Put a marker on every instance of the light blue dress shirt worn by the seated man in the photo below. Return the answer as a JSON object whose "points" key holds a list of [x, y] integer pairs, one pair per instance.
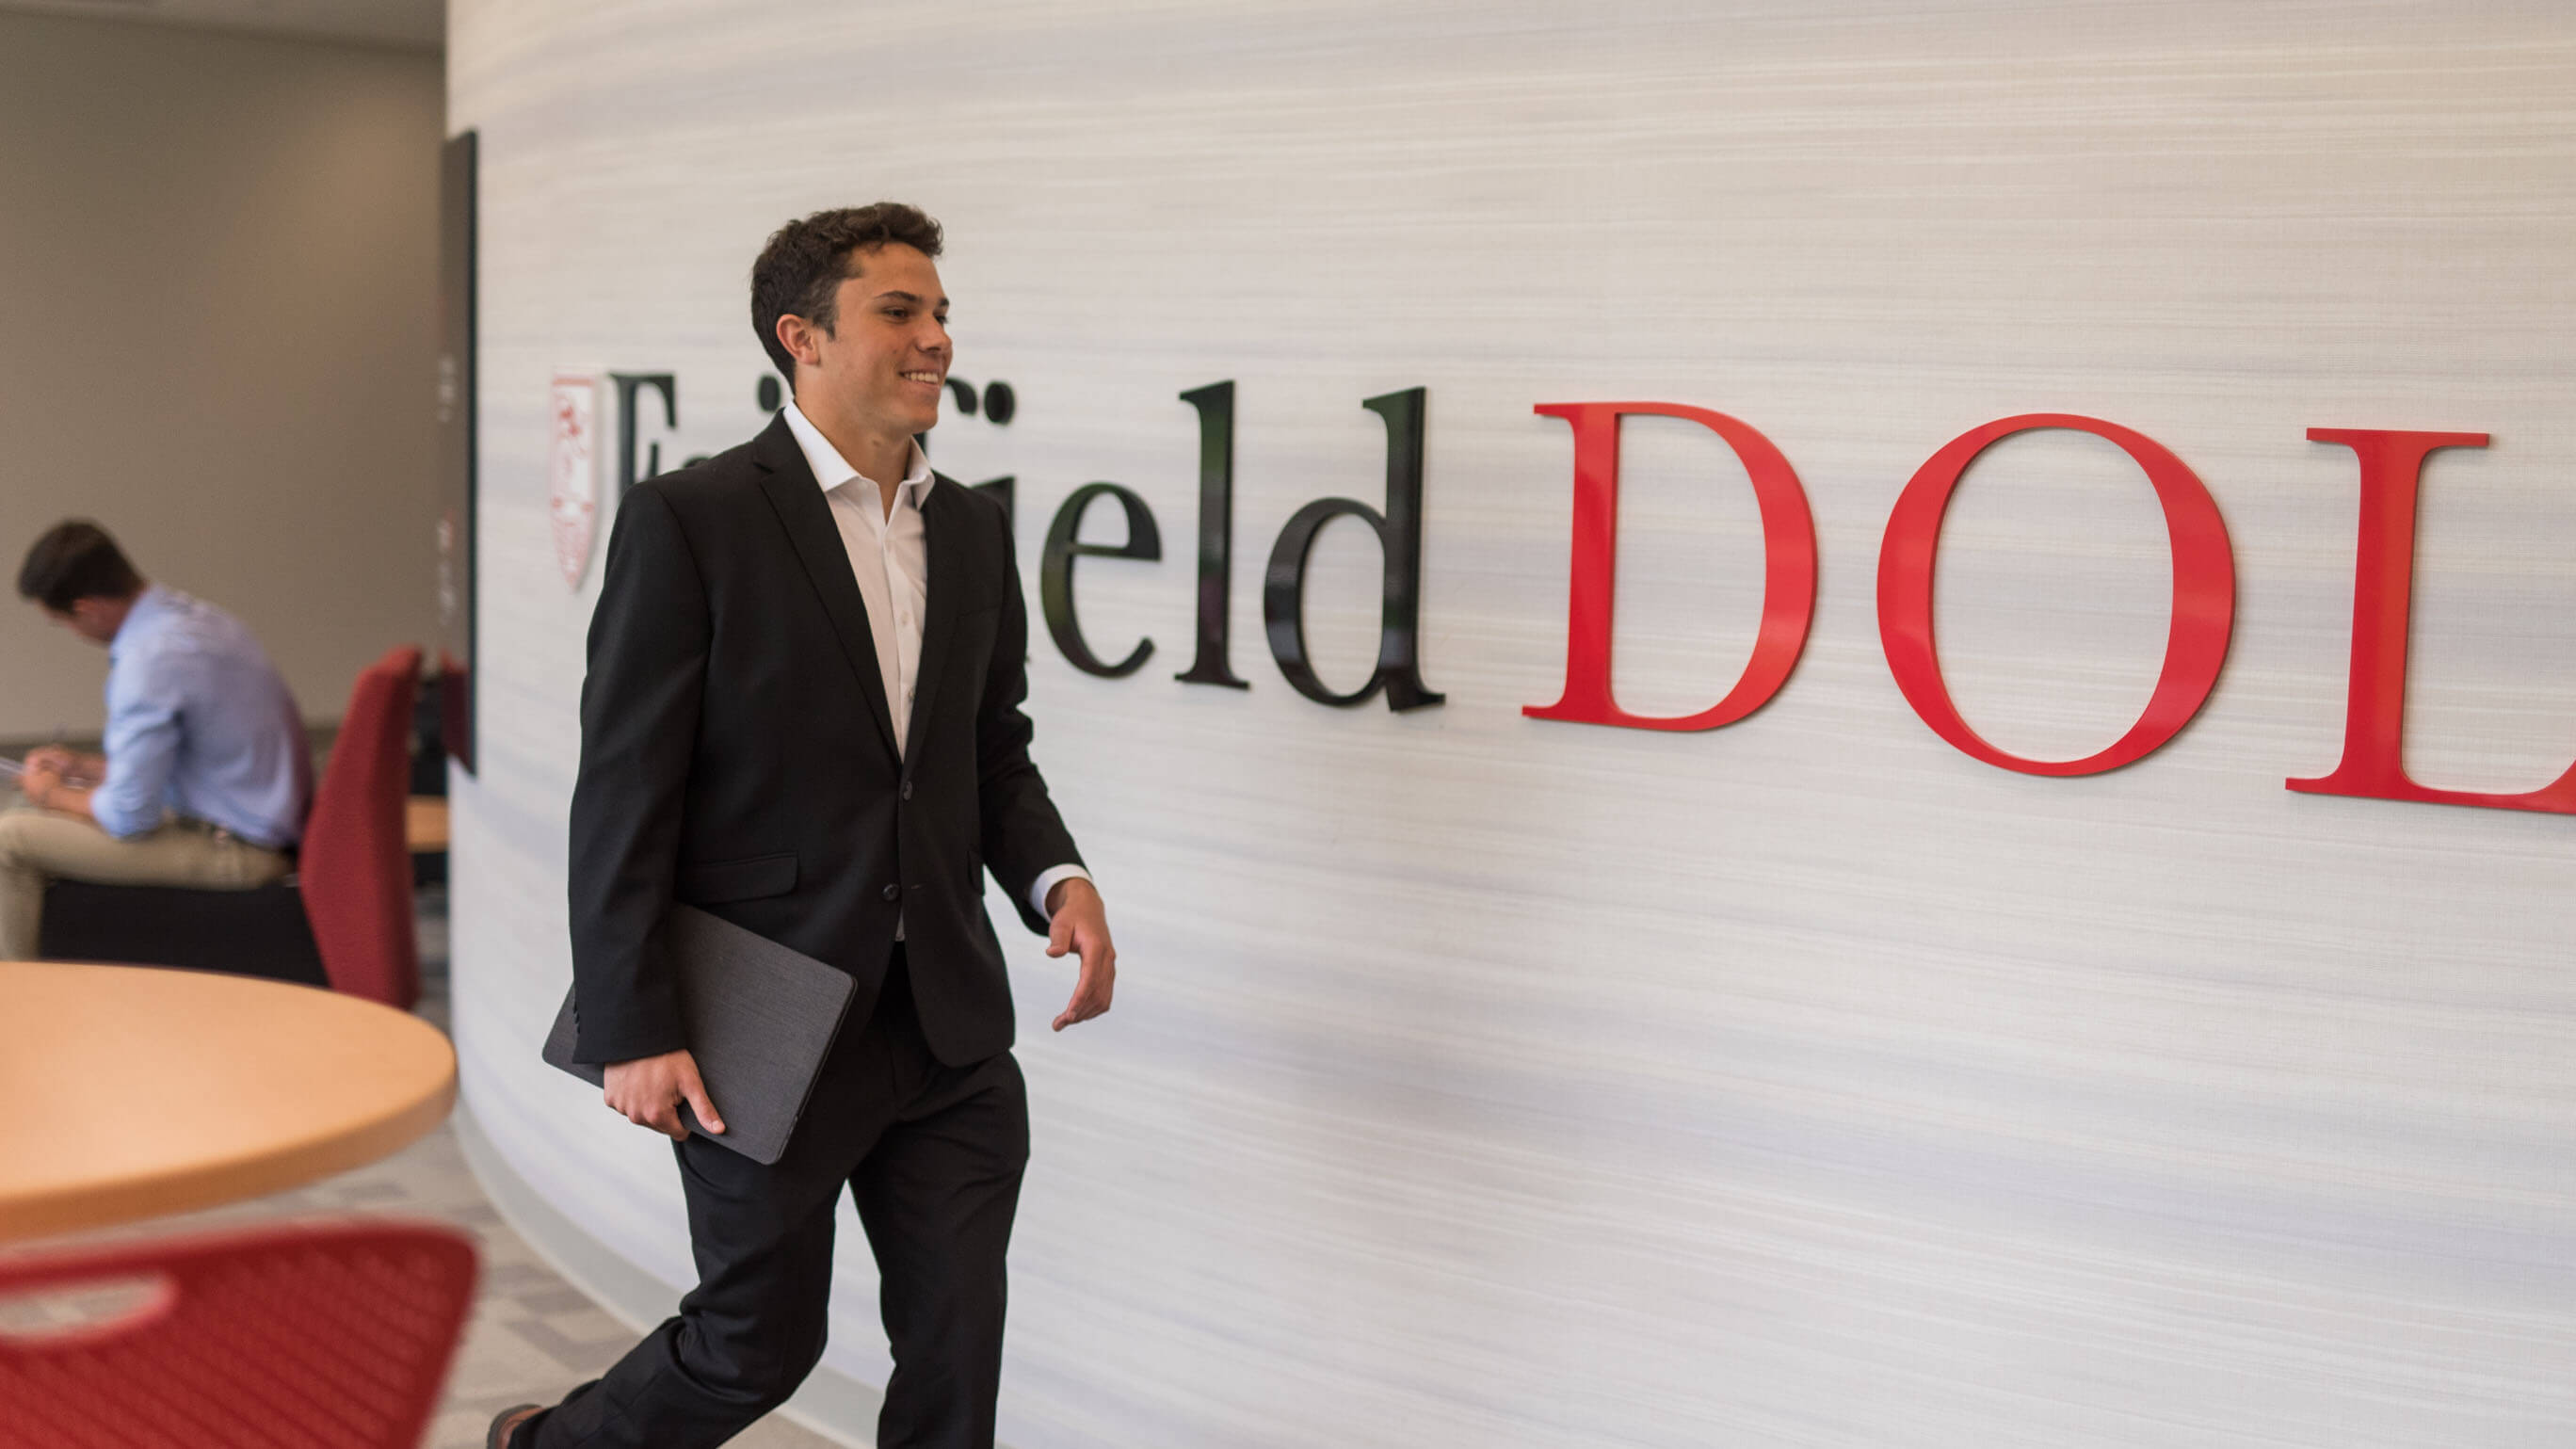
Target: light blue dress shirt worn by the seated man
{"points": [[202, 726]]}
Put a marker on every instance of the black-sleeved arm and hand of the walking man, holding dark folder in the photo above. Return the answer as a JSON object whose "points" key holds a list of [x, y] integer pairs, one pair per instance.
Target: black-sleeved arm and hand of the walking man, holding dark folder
{"points": [[640, 731]]}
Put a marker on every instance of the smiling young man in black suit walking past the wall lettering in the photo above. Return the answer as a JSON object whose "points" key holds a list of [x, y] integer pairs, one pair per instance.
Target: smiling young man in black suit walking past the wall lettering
{"points": [[805, 715]]}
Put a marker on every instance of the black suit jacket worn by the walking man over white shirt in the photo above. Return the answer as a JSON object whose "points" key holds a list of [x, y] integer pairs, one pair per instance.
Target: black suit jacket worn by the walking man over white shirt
{"points": [[738, 754]]}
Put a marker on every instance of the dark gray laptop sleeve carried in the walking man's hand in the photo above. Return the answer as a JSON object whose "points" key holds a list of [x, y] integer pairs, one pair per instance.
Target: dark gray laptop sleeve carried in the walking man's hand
{"points": [[759, 1022]]}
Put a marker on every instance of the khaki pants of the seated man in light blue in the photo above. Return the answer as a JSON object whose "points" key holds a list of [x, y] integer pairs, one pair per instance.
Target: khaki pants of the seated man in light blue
{"points": [[40, 847]]}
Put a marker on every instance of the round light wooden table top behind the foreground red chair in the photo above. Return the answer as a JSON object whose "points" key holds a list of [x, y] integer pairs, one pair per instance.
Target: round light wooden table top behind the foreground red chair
{"points": [[138, 1092]]}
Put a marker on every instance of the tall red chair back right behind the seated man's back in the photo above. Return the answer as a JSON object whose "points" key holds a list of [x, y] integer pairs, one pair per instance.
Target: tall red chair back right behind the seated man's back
{"points": [[357, 865]]}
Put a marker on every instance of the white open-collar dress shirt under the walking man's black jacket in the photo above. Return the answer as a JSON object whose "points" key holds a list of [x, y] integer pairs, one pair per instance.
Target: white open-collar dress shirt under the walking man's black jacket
{"points": [[893, 569]]}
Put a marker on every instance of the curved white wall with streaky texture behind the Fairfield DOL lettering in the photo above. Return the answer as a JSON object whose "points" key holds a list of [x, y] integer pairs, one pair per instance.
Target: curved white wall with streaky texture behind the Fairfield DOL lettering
{"points": [[1485, 1082]]}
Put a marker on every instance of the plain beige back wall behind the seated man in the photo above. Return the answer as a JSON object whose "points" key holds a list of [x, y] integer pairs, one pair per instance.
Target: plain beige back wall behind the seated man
{"points": [[218, 331]]}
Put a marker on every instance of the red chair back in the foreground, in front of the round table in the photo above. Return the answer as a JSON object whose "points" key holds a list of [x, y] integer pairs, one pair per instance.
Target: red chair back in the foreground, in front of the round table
{"points": [[287, 1337]]}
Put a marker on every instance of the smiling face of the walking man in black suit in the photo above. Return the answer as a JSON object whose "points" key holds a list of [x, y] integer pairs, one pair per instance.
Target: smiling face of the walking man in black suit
{"points": [[885, 362]]}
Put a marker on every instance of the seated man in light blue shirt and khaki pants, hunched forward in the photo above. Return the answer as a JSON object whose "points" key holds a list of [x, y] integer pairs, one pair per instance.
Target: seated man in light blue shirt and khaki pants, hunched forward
{"points": [[207, 770]]}
